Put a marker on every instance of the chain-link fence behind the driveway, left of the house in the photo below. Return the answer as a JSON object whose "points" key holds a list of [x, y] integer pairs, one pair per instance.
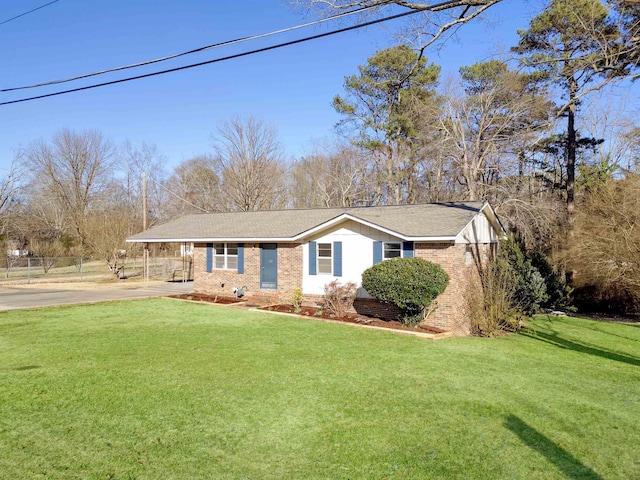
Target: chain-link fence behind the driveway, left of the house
{"points": [[27, 269]]}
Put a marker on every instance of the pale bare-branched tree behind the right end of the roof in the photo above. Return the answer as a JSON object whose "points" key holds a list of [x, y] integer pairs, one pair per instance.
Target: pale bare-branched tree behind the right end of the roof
{"points": [[483, 126]]}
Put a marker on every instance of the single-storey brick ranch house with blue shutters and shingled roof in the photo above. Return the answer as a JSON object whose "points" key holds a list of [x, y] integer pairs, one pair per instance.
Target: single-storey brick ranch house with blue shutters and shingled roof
{"points": [[271, 253]]}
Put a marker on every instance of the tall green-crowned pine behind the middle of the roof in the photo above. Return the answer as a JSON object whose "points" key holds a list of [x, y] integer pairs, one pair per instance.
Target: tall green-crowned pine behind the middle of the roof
{"points": [[385, 110]]}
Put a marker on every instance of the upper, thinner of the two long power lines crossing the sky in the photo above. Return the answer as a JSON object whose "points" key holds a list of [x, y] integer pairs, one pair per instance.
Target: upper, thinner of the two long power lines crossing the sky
{"points": [[189, 52]]}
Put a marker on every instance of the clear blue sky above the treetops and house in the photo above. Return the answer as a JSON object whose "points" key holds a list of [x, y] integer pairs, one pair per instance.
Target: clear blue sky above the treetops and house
{"points": [[290, 88]]}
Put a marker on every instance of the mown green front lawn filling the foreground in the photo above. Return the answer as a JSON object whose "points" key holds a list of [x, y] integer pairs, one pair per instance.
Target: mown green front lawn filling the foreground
{"points": [[157, 389]]}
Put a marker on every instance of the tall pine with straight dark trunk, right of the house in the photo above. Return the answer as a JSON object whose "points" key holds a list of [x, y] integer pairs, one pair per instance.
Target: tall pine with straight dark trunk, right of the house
{"points": [[573, 43]]}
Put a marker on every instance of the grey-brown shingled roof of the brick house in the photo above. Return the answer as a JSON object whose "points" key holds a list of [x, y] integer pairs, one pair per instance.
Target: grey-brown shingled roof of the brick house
{"points": [[432, 221]]}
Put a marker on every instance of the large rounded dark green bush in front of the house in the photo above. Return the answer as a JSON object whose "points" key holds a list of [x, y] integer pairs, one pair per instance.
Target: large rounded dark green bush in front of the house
{"points": [[410, 284]]}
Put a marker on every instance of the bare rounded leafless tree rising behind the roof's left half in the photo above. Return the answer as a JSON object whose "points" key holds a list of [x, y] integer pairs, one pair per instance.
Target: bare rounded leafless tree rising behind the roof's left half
{"points": [[250, 162]]}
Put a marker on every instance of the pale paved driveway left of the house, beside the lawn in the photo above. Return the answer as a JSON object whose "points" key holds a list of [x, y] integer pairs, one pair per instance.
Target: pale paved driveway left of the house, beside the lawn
{"points": [[12, 298]]}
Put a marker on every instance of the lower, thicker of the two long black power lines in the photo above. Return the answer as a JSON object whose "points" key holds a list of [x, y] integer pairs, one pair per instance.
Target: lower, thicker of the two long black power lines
{"points": [[216, 60]]}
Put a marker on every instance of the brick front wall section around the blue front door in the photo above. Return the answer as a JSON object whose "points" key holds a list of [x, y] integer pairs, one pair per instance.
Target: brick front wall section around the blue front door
{"points": [[221, 282]]}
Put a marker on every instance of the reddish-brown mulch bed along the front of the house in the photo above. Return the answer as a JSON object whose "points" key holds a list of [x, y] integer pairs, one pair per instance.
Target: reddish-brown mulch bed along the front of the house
{"points": [[313, 312]]}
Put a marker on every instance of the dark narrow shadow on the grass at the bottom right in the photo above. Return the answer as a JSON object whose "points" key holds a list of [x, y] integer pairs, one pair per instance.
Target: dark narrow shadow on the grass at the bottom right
{"points": [[570, 466]]}
